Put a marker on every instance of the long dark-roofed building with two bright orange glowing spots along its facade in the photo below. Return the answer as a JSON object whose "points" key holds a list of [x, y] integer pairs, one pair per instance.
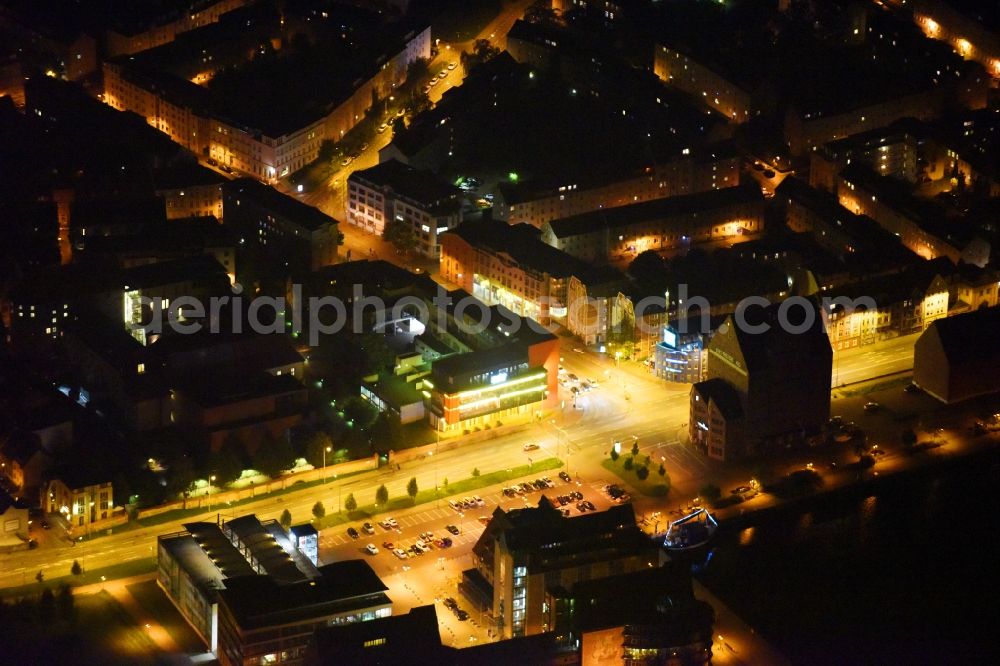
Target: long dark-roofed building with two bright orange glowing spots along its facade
{"points": [[662, 224]]}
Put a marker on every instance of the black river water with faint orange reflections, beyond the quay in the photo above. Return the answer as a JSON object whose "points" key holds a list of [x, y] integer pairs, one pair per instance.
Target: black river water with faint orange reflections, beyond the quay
{"points": [[903, 570]]}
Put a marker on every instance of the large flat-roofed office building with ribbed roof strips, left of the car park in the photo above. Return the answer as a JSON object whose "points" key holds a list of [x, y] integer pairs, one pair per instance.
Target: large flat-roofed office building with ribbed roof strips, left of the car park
{"points": [[254, 597]]}
